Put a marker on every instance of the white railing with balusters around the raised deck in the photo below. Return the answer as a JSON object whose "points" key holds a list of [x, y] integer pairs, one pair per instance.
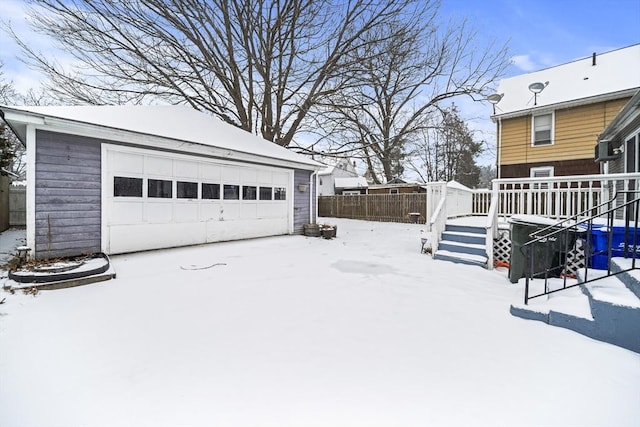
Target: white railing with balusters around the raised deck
{"points": [[553, 197]]}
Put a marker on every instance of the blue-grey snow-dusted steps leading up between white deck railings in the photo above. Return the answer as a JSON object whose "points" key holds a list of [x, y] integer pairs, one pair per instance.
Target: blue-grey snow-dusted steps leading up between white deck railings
{"points": [[463, 244]]}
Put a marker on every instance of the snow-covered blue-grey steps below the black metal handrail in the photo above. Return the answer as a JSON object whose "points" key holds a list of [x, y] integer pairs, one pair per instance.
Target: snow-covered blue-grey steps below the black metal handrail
{"points": [[606, 310]]}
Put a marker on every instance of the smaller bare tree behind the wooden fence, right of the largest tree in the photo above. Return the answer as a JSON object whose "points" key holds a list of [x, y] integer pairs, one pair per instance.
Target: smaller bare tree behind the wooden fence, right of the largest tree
{"points": [[400, 86]]}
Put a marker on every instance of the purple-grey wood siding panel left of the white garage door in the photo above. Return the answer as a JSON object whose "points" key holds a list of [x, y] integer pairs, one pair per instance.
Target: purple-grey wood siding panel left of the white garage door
{"points": [[67, 195]]}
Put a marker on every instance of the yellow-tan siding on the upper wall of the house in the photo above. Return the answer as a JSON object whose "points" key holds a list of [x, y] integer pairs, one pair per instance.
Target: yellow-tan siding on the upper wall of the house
{"points": [[575, 135]]}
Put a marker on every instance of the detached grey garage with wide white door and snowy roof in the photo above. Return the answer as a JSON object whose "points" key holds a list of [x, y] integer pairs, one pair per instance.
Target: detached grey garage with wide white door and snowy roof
{"points": [[119, 179]]}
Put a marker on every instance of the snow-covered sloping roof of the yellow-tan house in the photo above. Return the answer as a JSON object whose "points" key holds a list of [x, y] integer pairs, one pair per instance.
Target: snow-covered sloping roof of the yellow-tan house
{"points": [[614, 71]]}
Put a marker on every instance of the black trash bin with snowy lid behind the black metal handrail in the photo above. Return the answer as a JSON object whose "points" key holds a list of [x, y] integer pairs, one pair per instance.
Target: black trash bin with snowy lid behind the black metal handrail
{"points": [[548, 255]]}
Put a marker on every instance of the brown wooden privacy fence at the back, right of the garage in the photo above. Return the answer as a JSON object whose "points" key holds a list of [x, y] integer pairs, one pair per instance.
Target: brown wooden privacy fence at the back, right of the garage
{"points": [[375, 207]]}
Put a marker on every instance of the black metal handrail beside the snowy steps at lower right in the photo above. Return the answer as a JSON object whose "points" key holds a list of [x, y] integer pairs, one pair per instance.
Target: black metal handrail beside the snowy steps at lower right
{"points": [[551, 233]]}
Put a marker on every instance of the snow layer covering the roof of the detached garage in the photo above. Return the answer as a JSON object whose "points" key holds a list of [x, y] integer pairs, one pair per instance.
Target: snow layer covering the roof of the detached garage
{"points": [[180, 123]]}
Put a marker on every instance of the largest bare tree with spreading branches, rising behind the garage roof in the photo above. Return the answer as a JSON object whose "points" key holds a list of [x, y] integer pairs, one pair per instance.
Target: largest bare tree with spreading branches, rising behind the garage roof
{"points": [[261, 65]]}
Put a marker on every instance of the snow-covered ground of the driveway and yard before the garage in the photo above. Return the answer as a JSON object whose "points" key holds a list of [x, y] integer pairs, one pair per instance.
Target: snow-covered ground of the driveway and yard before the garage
{"points": [[361, 330]]}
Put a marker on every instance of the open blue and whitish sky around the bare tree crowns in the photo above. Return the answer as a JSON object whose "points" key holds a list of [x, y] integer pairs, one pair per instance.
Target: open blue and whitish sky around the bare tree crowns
{"points": [[539, 33]]}
